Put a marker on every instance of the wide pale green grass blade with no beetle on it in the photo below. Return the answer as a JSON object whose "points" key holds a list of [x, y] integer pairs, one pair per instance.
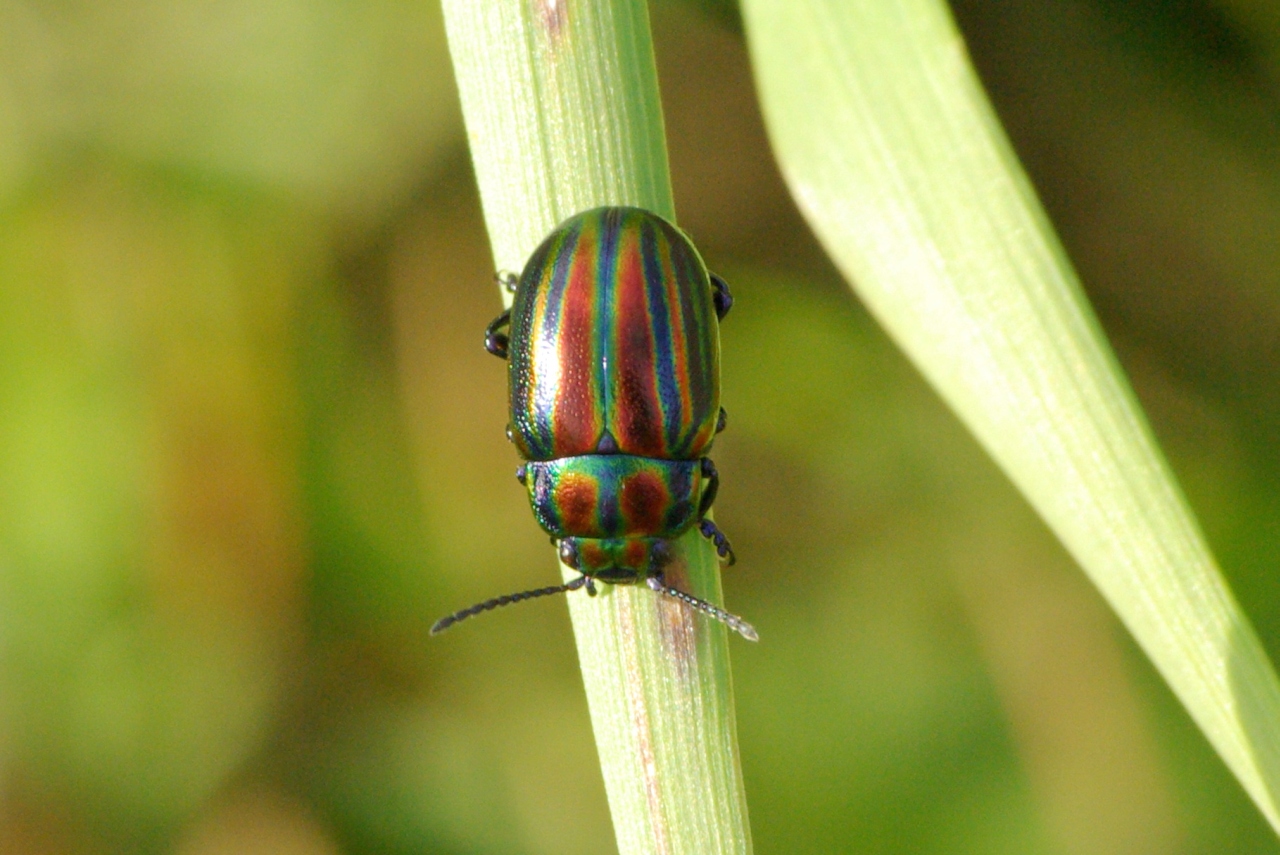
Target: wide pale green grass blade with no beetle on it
{"points": [[889, 144]]}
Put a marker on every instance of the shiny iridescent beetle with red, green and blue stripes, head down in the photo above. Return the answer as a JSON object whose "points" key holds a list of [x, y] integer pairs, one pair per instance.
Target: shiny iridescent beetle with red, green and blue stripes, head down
{"points": [[614, 348]]}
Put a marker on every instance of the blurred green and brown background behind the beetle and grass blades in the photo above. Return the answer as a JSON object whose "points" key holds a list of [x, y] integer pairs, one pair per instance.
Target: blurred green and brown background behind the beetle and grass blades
{"points": [[252, 447]]}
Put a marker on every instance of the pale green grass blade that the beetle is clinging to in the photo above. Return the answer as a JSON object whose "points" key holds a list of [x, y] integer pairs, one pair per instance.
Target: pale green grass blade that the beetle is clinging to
{"points": [[563, 115]]}
